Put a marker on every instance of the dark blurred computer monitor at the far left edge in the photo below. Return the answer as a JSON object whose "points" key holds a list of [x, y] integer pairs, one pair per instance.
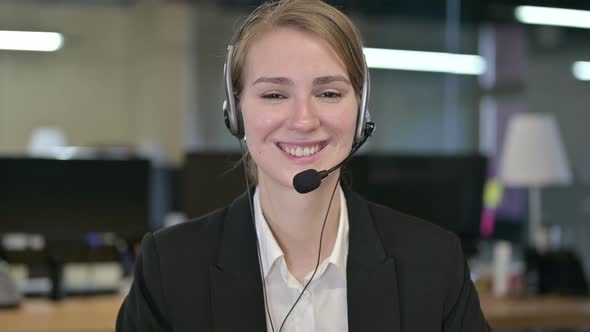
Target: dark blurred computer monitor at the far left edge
{"points": [[65, 200]]}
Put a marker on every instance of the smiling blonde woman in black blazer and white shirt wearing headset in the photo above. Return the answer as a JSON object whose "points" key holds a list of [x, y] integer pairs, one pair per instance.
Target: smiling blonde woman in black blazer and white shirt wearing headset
{"points": [[326, 260]]}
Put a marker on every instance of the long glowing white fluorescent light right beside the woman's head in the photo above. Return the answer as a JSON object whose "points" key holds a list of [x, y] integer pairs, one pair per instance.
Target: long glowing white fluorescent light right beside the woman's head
{"points": [[425, 61]]}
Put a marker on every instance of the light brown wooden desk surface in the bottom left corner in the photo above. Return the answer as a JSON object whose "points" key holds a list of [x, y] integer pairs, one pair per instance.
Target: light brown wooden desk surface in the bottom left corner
{"points": [[91, 314]]}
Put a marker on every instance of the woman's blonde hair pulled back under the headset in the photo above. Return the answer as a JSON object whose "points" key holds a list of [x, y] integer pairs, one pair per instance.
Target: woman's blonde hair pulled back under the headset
{"points": [[313, 16]]}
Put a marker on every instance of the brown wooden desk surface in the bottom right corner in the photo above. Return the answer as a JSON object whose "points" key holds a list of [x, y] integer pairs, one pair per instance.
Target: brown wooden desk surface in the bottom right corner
{"points": [[550, 312]]}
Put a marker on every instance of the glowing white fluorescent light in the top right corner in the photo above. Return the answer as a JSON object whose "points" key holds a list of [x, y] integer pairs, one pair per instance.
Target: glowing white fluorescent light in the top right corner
{"points": [[553, 16]]}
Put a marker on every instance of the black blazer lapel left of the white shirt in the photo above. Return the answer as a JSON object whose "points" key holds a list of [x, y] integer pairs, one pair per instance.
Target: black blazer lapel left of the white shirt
{"points": [[236, 286]]}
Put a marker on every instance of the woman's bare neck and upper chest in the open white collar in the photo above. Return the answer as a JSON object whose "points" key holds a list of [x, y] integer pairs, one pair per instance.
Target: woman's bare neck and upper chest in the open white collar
{"points": [[296, 221]]}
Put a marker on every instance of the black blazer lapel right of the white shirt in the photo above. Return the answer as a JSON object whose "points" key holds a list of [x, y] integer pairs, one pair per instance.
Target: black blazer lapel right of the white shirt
{"points": [[372, 290]]}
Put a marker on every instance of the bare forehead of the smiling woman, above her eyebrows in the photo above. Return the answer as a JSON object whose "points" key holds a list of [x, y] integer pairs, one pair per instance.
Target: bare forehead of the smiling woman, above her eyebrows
{"points": [[288, 51]]}
